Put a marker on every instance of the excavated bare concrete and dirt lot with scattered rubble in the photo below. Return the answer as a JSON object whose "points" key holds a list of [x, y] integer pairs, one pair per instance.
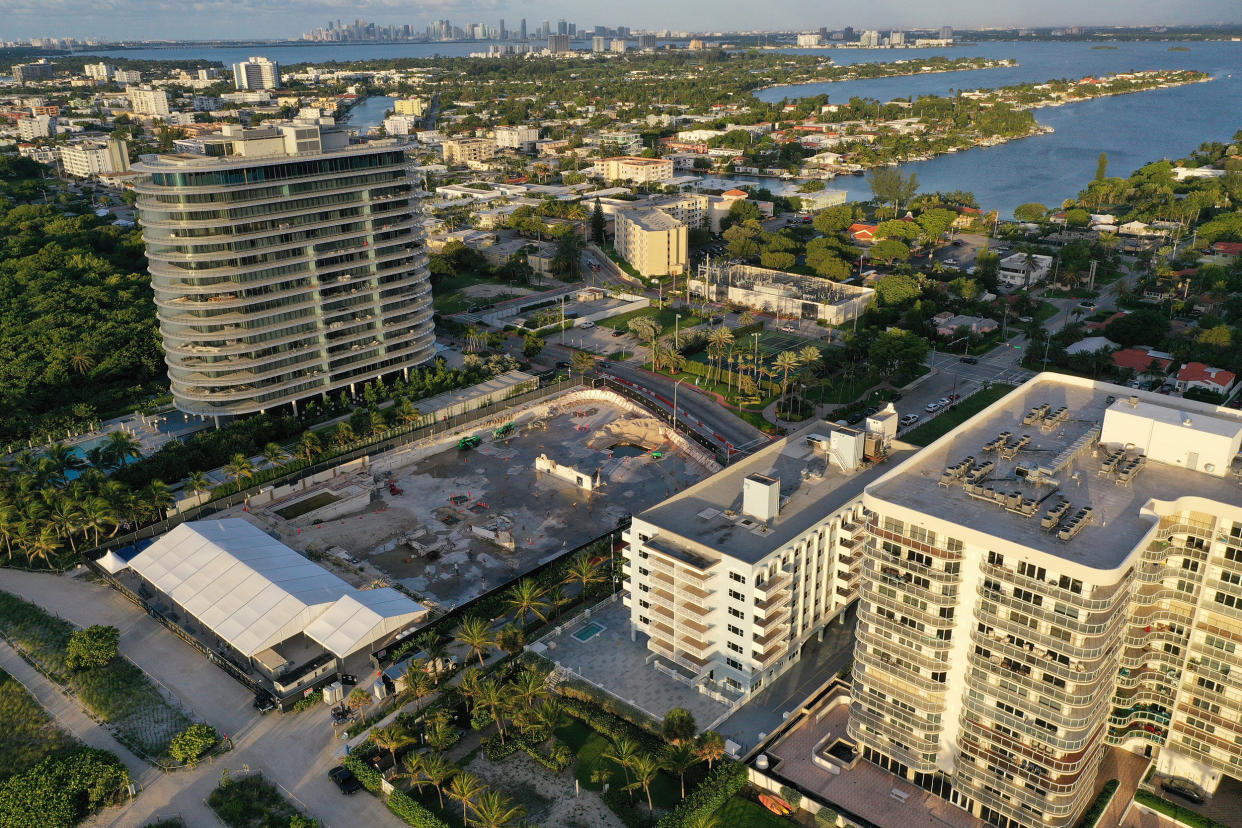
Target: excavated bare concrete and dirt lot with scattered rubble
{"points": [[428, 537]]}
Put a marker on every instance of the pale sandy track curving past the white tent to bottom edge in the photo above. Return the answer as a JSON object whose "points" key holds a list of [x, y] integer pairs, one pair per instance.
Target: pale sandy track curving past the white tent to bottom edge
{"points": [[292, 750]]}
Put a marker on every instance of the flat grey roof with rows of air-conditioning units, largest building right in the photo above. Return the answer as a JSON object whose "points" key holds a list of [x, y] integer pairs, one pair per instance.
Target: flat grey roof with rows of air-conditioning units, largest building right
{"points": [[1117, 524]]}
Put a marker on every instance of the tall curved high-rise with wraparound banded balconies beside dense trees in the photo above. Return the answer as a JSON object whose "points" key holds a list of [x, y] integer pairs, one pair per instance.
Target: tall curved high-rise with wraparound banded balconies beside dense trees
{"points": [[288, 263]]}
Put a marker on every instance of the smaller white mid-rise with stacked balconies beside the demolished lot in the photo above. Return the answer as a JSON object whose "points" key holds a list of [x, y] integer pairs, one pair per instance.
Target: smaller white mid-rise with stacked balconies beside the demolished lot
{"points": [[731, 578]]}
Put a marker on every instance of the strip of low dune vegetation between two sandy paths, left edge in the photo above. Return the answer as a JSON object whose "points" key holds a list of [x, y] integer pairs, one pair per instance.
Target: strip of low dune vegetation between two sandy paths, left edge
{"points": [[119, 695]]}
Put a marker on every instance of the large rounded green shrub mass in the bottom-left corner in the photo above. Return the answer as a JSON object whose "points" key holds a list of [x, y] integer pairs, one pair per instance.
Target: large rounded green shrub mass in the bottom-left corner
{"points": [[61, 790]]}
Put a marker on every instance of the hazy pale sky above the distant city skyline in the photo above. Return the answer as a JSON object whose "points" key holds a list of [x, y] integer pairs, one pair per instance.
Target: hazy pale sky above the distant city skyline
{"points": [[265, 19]]}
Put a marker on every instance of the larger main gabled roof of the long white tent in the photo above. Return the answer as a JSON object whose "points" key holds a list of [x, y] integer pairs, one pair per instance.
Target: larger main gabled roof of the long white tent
{"points": [[237, 580]]}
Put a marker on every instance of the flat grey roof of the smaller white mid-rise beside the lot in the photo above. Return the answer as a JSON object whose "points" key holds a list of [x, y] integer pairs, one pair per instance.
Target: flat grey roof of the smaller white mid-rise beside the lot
{"points": [[812, 488]]}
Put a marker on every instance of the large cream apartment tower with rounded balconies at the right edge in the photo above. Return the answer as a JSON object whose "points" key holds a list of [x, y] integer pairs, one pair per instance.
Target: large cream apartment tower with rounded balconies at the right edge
{"points": [[1058, 578]]}
